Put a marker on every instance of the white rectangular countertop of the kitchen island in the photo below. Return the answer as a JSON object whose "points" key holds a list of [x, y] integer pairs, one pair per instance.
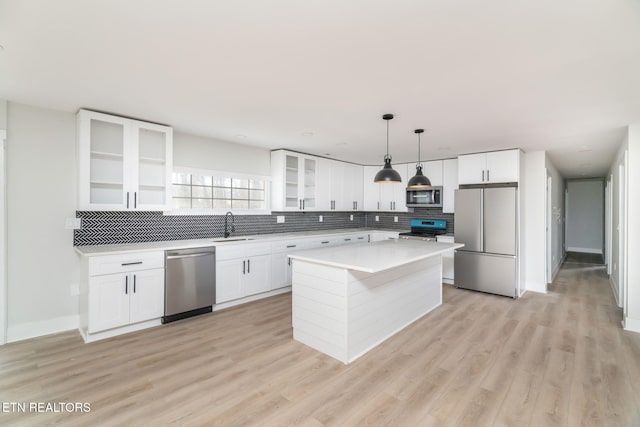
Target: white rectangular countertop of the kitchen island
{"points": [[377, 256]]}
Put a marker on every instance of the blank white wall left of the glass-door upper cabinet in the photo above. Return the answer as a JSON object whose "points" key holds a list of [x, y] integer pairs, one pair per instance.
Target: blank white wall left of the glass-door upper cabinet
{"points": [[41, 193]]}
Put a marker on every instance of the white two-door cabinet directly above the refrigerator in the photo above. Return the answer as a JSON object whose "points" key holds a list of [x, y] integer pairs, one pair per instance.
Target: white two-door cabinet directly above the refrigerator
{"points": [[488, 168]]}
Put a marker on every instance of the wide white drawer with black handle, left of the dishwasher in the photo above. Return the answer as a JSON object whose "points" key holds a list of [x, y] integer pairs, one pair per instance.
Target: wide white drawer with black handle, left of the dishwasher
{"points": [[123, 263]]}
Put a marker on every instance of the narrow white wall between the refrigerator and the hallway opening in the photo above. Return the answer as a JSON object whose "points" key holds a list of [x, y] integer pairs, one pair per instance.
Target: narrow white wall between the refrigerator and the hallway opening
{"points": [[533, 226]]}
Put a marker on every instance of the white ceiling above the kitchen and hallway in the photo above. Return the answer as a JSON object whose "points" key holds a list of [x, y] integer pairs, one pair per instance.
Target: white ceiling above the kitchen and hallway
{"points": [[562, 76]]}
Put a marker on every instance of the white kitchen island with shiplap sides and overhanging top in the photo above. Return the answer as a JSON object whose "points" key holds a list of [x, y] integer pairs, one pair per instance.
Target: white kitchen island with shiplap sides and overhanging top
{"points": [[347, 300]]}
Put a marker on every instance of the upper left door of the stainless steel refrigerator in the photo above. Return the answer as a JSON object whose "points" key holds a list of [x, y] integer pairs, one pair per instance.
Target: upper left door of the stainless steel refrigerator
{"points": [[468, 229]]}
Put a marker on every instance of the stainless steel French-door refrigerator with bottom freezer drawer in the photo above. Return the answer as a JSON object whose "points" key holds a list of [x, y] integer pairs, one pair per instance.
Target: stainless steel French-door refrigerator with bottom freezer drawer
{"points": [[486, 222]]}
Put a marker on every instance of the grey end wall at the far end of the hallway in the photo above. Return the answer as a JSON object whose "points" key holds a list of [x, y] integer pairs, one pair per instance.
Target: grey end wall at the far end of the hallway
{"points": [[585, 216]]}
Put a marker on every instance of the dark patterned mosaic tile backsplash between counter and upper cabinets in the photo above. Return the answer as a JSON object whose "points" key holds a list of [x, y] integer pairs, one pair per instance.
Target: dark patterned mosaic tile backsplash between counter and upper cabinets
{"points": [[107, 228]]}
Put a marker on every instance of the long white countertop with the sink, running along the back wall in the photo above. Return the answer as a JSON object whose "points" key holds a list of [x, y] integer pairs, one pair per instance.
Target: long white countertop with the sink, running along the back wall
{"points": [[196, 243]]}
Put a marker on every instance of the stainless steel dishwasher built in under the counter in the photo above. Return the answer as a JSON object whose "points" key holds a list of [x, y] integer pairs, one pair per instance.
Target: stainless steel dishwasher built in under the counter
{"points": [[189, 282]]}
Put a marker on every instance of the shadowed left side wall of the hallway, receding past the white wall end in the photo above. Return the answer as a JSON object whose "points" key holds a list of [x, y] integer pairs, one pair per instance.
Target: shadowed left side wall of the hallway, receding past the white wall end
{"points": [[557, 216]]}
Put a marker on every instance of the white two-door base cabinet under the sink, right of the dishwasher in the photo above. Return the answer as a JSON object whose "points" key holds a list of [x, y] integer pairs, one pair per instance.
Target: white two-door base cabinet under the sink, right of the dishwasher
{"points": [[242, 270]]}
